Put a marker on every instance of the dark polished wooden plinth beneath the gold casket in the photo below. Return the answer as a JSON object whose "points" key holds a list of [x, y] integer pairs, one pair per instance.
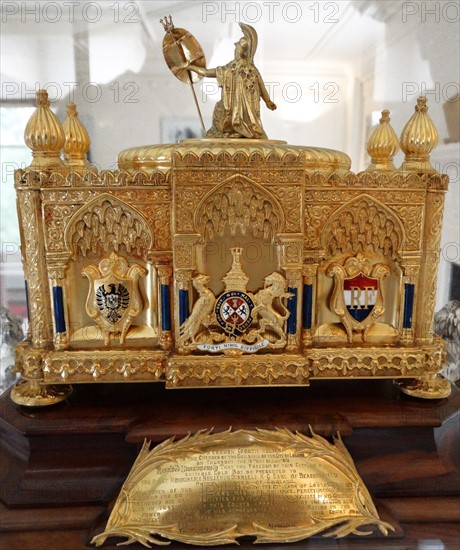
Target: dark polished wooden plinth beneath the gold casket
{"points": [[62, 466]]}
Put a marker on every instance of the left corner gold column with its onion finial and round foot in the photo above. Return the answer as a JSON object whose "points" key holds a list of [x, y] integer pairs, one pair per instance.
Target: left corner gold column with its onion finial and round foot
{"points": [[45, 136]]}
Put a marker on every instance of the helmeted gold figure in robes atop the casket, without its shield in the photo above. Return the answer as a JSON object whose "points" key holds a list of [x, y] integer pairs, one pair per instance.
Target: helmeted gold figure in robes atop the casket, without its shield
{"points": [[237, 114]]}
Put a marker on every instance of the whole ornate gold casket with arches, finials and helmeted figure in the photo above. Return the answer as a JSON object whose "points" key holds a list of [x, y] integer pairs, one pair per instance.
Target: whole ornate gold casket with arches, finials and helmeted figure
{"points": [[232, 260]]}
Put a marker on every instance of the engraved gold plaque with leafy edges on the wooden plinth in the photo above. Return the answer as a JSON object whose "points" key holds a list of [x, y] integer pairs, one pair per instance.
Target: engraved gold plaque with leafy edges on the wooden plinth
{"points": [[210, 489]]}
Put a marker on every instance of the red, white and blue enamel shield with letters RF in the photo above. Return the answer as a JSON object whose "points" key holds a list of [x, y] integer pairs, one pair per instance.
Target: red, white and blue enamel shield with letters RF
{"points": [[360, 295]]}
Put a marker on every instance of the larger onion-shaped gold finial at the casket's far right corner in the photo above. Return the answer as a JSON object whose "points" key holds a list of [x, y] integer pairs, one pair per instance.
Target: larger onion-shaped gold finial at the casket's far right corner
{"points": [[418, 138]]}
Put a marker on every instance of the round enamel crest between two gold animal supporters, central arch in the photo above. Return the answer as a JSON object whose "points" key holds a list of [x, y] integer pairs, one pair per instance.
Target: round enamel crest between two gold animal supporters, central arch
{"points": [[233, 312]]}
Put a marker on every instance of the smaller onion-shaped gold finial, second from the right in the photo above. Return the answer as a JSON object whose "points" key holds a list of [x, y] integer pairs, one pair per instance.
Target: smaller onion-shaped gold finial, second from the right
{"points": [[383, 145]]}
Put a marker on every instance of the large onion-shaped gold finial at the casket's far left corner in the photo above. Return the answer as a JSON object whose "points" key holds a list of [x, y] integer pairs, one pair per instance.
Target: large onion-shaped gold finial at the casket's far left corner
{"points": [[44, 134]]}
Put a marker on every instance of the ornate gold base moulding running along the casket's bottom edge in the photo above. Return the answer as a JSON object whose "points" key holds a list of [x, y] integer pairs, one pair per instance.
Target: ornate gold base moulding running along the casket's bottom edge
{"points": [[193, 371]]}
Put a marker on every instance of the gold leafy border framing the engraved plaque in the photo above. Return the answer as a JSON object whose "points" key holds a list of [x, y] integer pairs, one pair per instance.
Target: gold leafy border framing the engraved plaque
{"points": [[334, 455]]}
